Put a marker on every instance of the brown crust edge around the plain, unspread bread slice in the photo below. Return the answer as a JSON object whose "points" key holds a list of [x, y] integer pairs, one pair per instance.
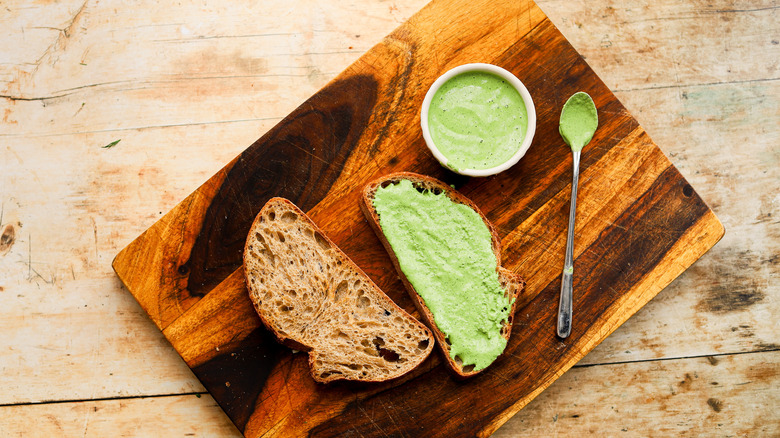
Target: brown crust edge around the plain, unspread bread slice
{"points": [[346, 263]]}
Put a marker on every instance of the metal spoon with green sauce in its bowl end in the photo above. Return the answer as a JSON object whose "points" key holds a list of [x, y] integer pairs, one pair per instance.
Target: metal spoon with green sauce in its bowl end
{"points": [[577, 126]]}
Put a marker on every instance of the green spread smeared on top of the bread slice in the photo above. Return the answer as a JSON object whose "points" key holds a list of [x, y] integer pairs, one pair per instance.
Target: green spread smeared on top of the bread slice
{"points": [[444, 250]]}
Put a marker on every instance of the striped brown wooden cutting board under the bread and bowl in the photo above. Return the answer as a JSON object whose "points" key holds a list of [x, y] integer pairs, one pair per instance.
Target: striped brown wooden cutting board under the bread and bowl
{"points": [[639, 225]]}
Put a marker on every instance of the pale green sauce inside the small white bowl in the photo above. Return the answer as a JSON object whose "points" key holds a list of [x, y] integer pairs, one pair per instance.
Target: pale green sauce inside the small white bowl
{"points": [[477, 120]]}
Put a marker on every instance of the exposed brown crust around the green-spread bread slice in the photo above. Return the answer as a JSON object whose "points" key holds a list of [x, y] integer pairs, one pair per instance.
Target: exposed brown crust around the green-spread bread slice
{"points": [[511, 283]]}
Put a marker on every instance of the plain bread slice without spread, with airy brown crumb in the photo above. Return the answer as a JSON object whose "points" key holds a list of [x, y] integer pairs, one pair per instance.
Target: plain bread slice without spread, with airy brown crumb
{"points": [[315, 299]]}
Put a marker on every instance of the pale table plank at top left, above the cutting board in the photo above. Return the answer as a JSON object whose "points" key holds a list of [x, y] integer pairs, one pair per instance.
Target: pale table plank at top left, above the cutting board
{"points": [[250, 65]]}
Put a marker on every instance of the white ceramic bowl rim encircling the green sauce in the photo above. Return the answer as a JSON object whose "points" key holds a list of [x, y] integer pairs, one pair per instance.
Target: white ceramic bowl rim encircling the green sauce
{"points": [[512, 80]]}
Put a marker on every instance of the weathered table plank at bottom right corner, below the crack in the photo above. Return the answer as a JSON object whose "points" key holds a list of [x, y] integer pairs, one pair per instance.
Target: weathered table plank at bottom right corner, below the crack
{"points": [[729, 395]]}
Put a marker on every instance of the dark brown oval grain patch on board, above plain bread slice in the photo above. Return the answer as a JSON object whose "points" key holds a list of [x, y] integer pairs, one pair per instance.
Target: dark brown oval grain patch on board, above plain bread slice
{"points": [[298, 159]]}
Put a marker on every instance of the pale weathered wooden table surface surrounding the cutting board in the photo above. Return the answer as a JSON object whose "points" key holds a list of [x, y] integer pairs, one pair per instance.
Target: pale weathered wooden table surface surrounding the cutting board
{"points": [[186, 88]]}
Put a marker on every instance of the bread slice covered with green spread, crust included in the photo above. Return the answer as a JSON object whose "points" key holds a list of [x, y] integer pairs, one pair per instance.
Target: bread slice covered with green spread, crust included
{"points": [[448, 256]]}
